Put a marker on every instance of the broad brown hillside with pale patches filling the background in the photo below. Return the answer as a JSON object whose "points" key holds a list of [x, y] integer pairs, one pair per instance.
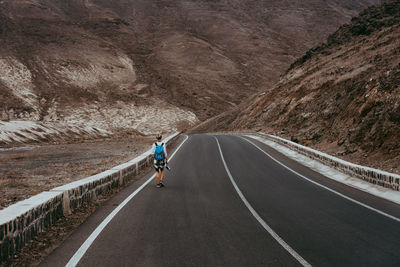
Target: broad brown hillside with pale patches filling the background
{"points": [[138, 64]]}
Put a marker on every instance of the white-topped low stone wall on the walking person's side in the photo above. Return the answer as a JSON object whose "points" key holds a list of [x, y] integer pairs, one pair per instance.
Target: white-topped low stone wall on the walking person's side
{"points": [[22, 221]]}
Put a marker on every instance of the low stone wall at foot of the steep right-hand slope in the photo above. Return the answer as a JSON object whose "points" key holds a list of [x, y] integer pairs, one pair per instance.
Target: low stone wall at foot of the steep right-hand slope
{"points": [[374, 176]]}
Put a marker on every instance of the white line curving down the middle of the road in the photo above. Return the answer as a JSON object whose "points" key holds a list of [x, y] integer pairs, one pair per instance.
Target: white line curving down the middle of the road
{"points": [[257, 216]]}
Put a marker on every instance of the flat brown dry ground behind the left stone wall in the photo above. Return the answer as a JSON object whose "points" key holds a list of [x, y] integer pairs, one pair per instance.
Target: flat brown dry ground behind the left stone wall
{"points": [[29, 170]]}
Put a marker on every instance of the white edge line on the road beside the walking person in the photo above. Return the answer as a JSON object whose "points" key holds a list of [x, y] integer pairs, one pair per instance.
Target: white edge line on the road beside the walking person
{"points": [[85, 246]]}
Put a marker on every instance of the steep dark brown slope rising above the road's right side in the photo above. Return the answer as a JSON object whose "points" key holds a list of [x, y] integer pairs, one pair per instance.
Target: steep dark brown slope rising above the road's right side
{"points": [[342, 96]]}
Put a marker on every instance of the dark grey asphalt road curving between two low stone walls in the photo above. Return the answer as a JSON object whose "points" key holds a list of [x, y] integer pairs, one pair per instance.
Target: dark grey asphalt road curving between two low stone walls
{"points": [[200, 219]]}
